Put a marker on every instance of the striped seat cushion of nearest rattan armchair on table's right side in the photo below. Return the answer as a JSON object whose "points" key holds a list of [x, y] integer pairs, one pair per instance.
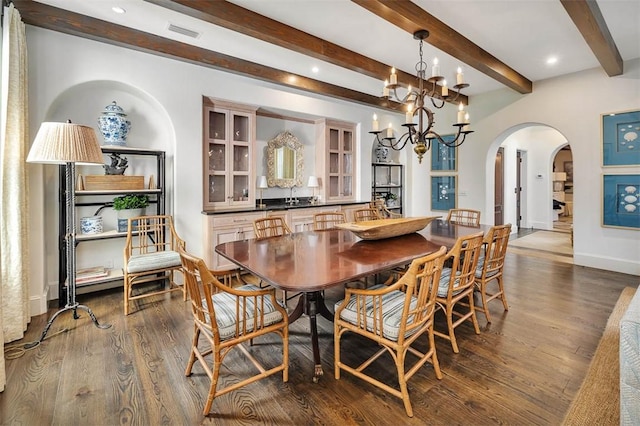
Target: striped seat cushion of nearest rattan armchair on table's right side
{"points": [[392, 303]]}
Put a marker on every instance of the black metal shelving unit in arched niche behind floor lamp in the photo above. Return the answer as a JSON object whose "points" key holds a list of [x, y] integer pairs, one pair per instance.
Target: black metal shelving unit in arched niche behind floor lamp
{"points": [[95, 200]]}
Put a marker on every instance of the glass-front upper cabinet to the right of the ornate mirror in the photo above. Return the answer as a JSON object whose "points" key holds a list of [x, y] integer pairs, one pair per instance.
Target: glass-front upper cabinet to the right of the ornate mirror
{"points": [[336, 160]]}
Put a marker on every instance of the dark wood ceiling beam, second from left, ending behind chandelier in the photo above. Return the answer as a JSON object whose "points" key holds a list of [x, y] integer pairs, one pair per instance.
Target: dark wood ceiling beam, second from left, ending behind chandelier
{"points": [[228, 15]]}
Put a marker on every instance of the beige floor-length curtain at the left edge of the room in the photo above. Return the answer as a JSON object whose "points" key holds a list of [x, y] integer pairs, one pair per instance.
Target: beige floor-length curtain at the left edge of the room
{"points": [[14, 214]]}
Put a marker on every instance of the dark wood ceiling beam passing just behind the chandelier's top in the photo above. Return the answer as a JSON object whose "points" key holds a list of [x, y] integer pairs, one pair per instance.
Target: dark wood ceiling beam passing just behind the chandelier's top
{"points": [[411, 18]]}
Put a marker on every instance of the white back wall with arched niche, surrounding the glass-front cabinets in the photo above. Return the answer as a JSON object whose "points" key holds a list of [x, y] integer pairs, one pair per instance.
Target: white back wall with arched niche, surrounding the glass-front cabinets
{"points": [[71, 77]]}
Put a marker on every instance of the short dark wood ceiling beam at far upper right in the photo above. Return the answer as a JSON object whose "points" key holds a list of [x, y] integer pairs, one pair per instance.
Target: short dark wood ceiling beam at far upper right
{"points": [[587, 17]]}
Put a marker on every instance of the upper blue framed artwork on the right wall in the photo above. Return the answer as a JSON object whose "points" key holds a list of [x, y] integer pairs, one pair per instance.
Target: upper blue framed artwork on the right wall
{"points": [[621, 139]]}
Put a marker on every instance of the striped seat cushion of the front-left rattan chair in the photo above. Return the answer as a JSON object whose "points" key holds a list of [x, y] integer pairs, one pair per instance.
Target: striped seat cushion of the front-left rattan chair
{"points": [[227, 317]]}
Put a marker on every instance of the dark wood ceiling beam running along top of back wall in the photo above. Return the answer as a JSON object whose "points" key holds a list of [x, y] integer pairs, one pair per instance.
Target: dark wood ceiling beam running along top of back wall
{"points": [[52, 18]]}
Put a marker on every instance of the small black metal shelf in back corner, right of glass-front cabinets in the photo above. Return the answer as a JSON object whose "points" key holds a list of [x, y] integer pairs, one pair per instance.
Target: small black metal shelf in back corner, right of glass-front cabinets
{"points": [[388, 184]]}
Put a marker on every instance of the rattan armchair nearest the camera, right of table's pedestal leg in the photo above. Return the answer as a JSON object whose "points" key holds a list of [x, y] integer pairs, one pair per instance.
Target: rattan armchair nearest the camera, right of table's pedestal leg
{"points": [[393, 317]]}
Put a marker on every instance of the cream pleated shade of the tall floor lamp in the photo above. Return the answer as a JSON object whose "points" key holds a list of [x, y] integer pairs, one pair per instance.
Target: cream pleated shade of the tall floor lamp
{"points": [[60, 143]]}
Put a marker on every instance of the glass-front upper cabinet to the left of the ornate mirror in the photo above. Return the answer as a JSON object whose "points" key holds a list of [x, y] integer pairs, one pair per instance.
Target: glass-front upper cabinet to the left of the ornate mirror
{"points": [[228, 154]]}
